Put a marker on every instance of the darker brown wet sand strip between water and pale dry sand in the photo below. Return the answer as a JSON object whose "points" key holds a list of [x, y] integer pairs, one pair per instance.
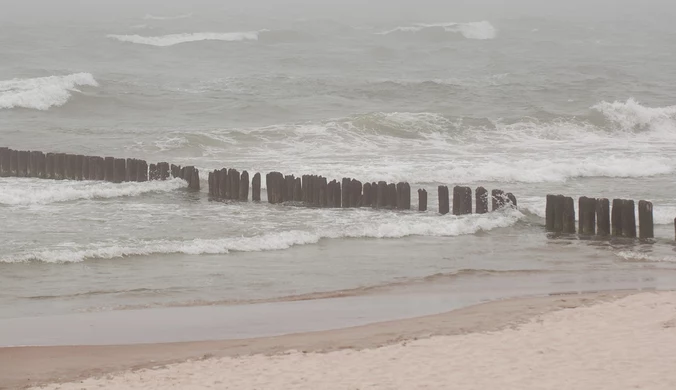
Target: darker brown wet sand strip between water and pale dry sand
{"points": [[23, 367]]}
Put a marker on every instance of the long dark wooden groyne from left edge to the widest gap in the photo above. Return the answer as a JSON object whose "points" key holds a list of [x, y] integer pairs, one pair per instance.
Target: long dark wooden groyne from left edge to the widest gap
{"points": [[232, 185]]}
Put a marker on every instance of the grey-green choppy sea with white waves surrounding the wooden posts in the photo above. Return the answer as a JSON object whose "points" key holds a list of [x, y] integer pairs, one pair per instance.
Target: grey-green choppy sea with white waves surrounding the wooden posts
{"points": [[533, 102]]}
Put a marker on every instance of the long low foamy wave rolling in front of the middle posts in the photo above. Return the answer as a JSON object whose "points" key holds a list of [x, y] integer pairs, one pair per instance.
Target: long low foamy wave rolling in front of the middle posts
{"points": [[395, 227]]}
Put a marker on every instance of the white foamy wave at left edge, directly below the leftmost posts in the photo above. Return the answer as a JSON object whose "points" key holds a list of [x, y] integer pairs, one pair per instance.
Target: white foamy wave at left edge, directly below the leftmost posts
{"points": [[39, 192]]}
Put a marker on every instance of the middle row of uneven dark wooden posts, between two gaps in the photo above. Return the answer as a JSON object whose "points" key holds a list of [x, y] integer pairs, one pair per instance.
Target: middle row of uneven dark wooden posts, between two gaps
{"points": [[318, 191]]}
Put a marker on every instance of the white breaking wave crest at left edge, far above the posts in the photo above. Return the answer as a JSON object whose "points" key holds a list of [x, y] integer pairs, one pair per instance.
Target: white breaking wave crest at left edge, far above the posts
{"points": [[43, 92]]}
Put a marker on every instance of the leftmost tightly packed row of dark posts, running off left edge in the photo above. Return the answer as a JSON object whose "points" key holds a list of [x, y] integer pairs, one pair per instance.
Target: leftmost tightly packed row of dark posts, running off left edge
{"points": [[63, 166]]}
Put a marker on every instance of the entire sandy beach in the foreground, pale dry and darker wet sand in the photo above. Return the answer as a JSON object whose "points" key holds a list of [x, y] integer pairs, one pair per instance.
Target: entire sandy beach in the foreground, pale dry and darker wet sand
{"points": [[622, 341]]}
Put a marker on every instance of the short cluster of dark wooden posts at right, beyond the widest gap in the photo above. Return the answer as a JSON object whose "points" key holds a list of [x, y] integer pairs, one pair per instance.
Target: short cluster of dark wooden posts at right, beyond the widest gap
{"points": [[595, 217]]}
